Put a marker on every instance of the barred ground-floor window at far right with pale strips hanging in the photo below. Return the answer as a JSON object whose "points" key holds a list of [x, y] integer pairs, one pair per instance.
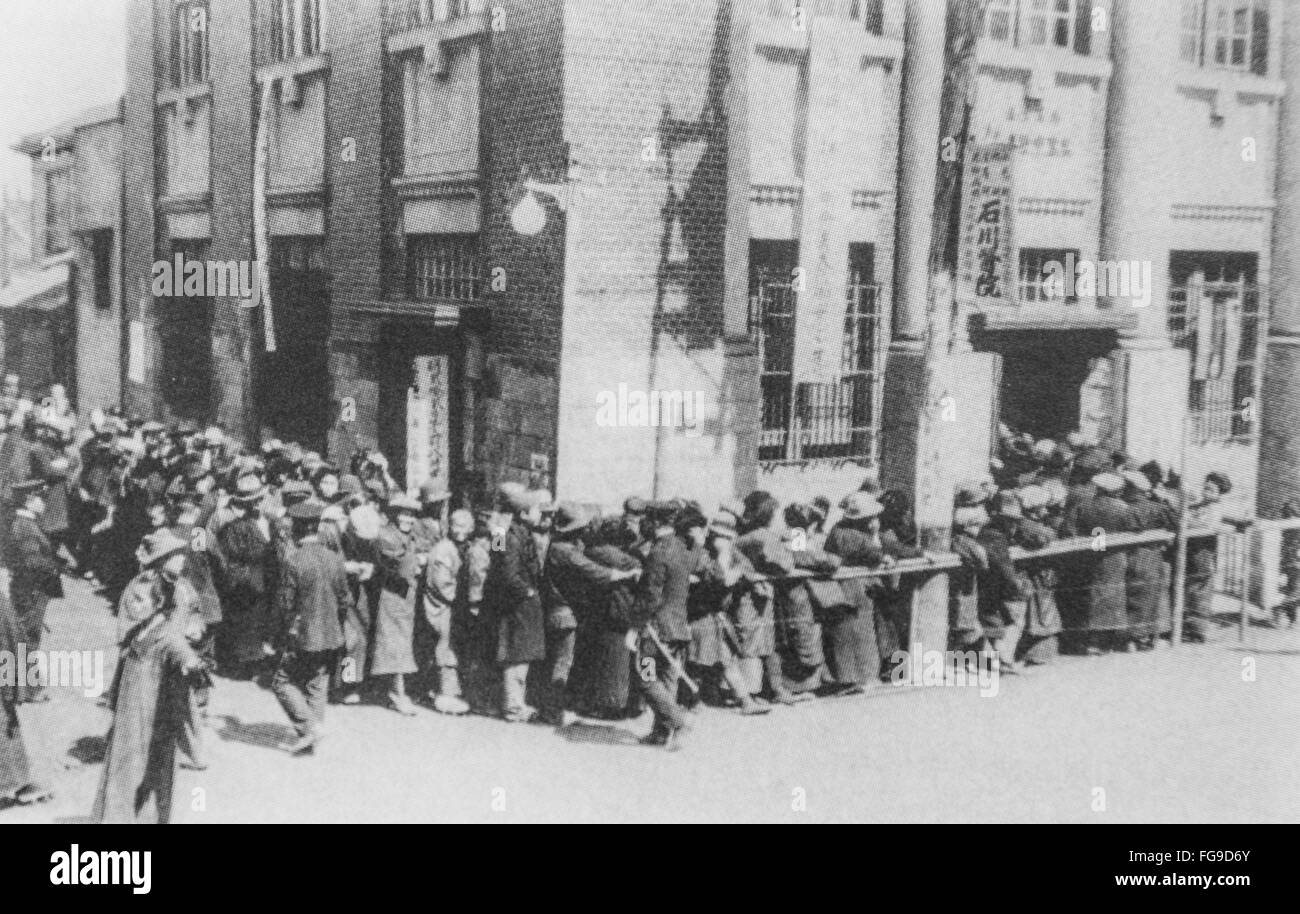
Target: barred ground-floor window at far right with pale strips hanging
{"points": [[1215, 314]]}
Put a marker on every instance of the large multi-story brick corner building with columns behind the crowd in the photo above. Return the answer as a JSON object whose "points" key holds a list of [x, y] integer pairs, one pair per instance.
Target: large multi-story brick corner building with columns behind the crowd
{"points": [[489, 223]]}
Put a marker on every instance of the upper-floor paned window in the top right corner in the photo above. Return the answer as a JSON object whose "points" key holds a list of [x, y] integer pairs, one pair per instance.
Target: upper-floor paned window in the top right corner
{"points": [[1227, 36]]}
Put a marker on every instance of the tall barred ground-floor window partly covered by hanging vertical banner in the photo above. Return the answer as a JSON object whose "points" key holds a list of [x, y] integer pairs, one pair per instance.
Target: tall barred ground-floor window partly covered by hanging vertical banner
{"points": [[816, 422]]}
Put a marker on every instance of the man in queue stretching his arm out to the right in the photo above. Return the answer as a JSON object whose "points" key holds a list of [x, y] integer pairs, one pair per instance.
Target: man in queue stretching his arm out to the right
{"points": [[574, 587]]}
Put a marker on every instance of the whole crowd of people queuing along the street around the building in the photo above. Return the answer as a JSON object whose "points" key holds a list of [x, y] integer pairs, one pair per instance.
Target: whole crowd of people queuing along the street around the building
{"points": [[336, 586]]}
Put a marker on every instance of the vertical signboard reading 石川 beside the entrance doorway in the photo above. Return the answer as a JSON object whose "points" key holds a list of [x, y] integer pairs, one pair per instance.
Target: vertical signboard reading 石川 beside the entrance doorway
{"points": [[986, 265]]}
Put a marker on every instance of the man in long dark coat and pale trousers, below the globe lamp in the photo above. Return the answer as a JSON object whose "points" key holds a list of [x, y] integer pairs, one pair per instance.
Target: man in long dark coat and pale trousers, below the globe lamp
{"points": [[513, 601]]}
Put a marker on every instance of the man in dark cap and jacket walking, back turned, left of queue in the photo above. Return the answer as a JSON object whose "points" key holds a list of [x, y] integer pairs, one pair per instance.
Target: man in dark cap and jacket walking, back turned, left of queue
{"points": [[313, 600]]}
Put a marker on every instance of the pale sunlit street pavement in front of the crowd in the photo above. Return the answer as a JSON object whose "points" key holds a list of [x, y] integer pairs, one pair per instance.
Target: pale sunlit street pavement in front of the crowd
{"points": [[1202, 734]]}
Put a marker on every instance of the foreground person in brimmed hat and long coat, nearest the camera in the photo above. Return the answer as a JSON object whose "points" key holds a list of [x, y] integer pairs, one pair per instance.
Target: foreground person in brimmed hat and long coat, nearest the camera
{"points": [[157, 670]]}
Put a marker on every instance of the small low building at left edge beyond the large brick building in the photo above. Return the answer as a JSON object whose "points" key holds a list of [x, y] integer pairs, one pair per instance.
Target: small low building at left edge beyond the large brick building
{"points": [[63, 319]]}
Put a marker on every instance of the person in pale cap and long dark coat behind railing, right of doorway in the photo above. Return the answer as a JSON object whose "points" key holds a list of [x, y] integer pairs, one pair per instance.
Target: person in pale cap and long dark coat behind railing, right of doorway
{"points": [[1107, 573]]}
